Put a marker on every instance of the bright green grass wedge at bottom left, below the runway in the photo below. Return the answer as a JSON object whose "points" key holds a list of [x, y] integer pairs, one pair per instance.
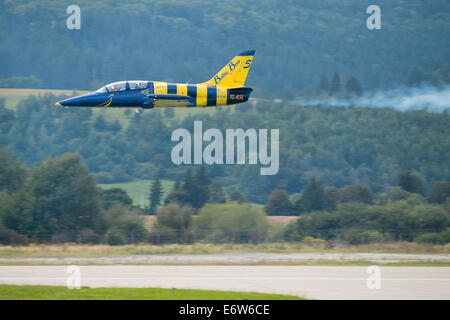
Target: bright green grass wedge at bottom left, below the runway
{"points": [[15, 292]]}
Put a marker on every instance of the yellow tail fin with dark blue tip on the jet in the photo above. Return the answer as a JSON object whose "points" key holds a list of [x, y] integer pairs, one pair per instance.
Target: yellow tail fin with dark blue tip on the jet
{"points": [[233, 75]]}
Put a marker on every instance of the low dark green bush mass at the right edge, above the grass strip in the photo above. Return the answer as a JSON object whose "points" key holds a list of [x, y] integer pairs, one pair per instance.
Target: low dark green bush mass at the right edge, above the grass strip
{"points": [[402, 220]]}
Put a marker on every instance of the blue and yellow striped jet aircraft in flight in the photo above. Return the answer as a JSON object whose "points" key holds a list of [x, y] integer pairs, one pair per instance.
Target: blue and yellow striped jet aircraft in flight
{"points": [[226, 87]]}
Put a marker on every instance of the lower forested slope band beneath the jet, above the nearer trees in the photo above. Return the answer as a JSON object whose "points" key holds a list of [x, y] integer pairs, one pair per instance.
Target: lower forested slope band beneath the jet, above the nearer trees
{"points": [[339, 146]]}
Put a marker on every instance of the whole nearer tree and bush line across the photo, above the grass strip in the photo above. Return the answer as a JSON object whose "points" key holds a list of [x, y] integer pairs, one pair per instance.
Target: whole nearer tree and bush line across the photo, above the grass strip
{"points": [[58, 201]]}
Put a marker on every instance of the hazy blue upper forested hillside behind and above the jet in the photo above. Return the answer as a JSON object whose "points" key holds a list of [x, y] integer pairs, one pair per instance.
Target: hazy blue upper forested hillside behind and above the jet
{"points": [[296, 43]]}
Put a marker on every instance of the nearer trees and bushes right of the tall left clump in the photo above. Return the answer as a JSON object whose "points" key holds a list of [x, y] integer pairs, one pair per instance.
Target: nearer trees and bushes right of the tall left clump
{"points": [[352, 214]]}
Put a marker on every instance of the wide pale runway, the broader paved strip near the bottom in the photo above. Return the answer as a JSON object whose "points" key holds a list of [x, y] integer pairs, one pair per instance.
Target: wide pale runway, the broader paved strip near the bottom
{"points": [[321, 282]]}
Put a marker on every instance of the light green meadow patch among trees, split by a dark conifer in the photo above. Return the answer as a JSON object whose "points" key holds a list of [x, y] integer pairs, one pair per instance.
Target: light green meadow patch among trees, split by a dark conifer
{"points": [[135, 189]]}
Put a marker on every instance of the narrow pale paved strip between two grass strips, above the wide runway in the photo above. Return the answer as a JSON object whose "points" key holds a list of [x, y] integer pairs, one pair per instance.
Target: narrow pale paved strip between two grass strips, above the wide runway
{"points": [[235, 259]]}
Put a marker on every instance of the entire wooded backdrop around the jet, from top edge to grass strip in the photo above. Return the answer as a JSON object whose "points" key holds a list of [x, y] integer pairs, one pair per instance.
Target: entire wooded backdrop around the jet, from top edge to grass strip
{"points": [[363, 172]]}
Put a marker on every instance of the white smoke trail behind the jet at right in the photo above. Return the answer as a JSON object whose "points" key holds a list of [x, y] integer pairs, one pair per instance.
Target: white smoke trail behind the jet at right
{"points": [[430, 98]]}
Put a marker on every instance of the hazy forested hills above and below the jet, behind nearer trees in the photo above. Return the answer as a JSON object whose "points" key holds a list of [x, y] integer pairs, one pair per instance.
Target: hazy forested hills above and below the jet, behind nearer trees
{"points": [[321, 48]]}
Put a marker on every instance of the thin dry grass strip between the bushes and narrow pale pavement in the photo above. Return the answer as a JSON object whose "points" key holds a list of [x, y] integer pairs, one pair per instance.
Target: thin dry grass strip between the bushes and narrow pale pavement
{"points": [[102, 250]]}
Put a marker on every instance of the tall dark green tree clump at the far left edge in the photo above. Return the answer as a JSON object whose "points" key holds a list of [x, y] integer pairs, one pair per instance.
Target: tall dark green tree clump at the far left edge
{"points": [[58, 201]]}
